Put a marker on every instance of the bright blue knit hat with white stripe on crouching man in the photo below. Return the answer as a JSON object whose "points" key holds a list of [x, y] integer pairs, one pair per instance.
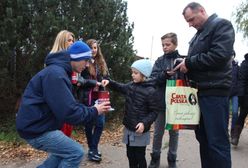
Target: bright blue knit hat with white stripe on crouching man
{"points": [[80, 51]]}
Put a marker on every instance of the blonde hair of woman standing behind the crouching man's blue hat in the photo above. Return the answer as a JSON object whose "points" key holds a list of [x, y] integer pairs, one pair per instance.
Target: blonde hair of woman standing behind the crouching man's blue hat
{"points": [[61, 40]]}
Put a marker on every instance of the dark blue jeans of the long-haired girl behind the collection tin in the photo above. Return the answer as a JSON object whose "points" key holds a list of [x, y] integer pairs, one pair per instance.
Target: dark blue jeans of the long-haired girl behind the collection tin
{"points": [[93, 132]]}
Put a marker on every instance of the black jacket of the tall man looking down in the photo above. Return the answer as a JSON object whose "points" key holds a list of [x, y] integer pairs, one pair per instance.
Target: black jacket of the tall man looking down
{"points": [[209, 57]]}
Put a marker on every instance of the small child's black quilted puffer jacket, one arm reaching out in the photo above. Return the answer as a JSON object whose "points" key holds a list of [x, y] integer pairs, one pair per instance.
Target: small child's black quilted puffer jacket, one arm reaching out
{"points": [[140, 105]]}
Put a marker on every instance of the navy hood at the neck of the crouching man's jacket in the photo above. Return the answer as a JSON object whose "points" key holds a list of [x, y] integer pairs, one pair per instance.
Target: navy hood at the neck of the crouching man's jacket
{"points": [[61, 58]]}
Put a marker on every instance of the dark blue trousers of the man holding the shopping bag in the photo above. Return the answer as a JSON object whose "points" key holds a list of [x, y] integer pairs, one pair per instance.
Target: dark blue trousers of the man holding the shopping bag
{"points": [[212, 133]]}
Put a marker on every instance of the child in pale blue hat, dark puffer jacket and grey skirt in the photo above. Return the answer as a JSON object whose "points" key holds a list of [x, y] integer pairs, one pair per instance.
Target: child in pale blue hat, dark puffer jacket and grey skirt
{"points": [[140, 111]]}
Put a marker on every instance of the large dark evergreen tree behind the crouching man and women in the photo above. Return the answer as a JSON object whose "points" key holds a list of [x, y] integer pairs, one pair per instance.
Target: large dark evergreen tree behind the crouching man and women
{"points": [[29, 27]]}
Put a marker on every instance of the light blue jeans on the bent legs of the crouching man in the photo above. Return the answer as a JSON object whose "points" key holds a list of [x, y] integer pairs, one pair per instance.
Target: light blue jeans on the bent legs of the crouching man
{"points": [[63, 151]]}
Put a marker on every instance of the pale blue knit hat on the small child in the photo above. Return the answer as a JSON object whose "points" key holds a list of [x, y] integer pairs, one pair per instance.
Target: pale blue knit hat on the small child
{"points": [[144, 66]]}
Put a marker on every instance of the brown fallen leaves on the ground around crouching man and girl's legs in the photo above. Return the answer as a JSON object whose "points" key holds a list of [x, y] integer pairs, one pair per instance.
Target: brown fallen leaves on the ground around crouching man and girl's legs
{"points": [[21, 151]]}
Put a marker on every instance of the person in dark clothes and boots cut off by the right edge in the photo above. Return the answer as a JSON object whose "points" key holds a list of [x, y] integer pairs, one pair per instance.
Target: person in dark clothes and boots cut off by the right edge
{"points": [[243, 99]]}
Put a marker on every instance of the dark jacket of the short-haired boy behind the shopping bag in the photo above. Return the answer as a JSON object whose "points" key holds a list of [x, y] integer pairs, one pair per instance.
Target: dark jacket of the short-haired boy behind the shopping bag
{"points": [[163, 64]]}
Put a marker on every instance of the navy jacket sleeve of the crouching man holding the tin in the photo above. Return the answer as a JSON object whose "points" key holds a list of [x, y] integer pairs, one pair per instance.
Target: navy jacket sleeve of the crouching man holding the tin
{"points": [[58, 95]]}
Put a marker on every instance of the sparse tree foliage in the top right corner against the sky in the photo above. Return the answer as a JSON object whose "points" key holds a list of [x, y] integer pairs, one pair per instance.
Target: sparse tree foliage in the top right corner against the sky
{"points": [[241, 18]]}
